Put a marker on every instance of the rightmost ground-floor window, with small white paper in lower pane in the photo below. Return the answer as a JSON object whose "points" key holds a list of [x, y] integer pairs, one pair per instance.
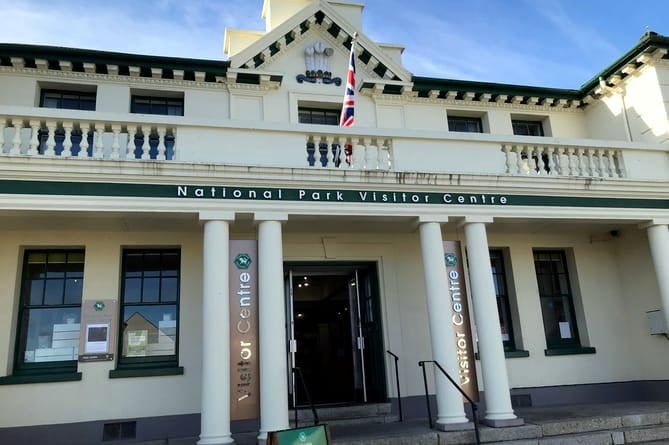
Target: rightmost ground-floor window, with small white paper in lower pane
{"points": [[557, 305]]}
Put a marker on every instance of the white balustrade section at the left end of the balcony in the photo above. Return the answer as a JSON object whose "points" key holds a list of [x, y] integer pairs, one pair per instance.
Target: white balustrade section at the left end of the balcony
{"points": [[79, 139]]}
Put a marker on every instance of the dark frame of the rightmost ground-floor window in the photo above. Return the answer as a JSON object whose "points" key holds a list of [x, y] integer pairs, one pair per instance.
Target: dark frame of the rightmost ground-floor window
{"points": [[554, 343]]}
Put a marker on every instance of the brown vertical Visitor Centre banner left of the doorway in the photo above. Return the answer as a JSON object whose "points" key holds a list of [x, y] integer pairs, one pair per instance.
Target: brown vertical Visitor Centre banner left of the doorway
{"points": [[244, 368]]}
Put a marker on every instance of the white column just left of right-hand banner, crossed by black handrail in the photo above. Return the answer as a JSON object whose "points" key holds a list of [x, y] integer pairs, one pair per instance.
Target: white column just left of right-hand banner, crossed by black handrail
{"points": [[450, 407]]}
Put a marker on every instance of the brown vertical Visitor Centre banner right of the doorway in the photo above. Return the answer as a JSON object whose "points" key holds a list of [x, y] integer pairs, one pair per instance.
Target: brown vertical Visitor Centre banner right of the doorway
{"points": [[457, 299]]}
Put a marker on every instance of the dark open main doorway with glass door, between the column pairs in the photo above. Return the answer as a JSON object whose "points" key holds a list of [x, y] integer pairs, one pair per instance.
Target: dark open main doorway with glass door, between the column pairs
{"points": [[335, 333]]}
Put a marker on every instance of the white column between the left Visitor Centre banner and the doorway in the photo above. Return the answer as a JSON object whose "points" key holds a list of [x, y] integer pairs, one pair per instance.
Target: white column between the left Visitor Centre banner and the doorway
{"points": [[272, 320]]}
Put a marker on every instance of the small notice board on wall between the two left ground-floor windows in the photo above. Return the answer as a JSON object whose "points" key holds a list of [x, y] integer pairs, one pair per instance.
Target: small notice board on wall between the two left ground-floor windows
{"points": [[97, 327]]}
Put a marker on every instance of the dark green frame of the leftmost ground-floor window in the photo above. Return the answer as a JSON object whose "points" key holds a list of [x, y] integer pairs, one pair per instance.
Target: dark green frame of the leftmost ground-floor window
{"points": [[20, 366]]}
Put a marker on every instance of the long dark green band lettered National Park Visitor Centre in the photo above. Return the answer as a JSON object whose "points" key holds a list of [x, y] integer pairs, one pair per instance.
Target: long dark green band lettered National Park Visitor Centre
{"points": [[385, 197]]}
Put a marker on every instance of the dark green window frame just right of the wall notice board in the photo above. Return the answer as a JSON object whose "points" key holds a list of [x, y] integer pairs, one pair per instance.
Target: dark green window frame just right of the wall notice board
{"points": [[126, 366]]}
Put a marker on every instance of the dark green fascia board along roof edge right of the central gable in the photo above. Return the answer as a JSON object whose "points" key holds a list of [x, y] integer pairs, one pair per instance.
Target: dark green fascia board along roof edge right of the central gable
{"points": [[432, 83]]}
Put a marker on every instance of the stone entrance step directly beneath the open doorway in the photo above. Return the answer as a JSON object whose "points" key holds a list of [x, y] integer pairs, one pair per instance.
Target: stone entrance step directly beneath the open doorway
{"points": [[346, 415]]}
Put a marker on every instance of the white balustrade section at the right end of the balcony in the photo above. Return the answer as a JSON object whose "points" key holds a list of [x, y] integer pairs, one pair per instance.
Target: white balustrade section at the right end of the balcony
{"points": [[548, 160]]}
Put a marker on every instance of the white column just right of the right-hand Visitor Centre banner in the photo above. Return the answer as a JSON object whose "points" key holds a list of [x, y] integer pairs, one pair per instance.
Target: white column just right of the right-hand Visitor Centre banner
{"points": [[491, 349]]}
